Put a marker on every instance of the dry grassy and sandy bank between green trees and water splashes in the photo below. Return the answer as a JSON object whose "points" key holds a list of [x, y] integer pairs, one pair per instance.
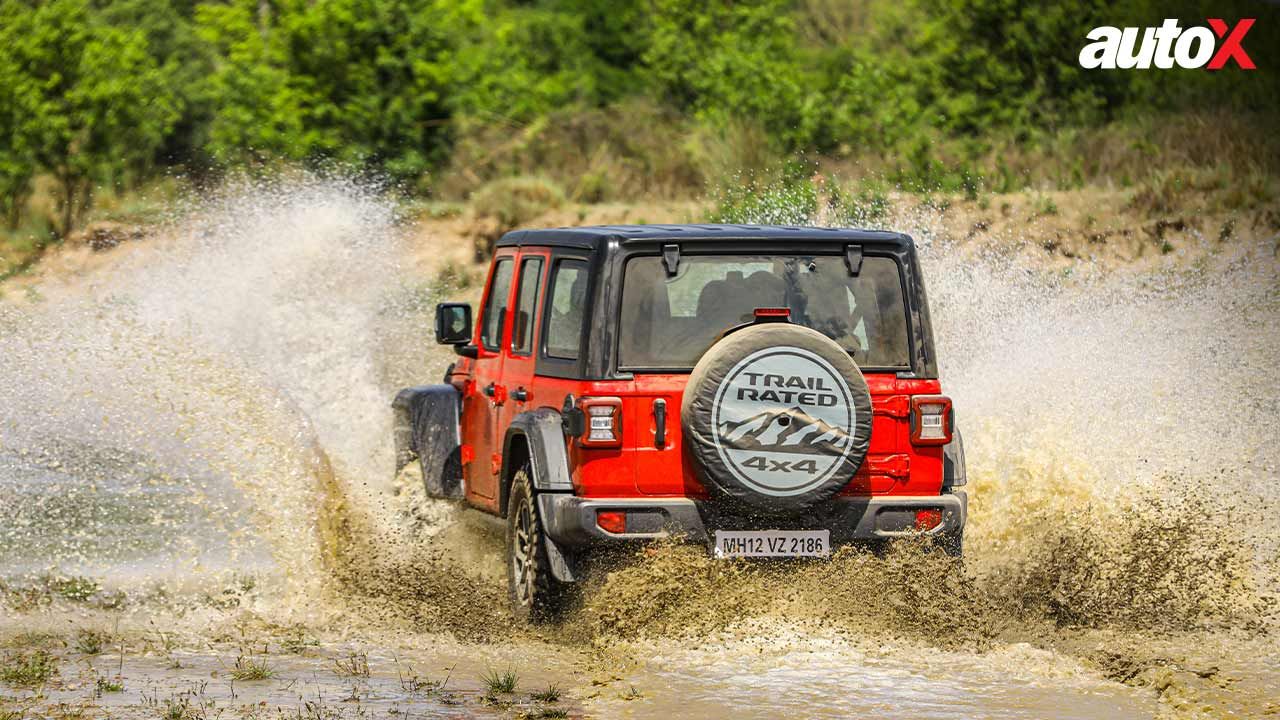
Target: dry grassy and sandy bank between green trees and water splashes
{"points": [[1127, 190]]}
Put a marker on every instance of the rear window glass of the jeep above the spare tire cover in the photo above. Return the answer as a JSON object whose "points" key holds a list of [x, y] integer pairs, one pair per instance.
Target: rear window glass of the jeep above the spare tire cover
{"points": [[669, 322]]}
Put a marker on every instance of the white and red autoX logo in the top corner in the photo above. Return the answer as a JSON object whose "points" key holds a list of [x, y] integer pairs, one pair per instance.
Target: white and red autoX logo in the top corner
{"points": [[1169, 45]]}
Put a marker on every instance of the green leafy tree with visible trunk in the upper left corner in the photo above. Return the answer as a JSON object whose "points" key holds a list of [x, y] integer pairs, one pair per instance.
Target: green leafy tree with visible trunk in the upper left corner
{"points": [[97, 103]]}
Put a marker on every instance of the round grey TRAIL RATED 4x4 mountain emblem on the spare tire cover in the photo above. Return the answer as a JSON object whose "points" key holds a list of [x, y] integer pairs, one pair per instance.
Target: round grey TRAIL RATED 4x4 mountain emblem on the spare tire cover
{"points": [[784, 421]]}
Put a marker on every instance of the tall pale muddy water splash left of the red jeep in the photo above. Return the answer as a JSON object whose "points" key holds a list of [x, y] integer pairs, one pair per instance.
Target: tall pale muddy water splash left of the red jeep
{"points": [[213, 403]]}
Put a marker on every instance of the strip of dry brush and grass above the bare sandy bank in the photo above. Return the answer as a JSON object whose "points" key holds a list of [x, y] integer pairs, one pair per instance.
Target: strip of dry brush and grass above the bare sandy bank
{"points": [[636, 152]]}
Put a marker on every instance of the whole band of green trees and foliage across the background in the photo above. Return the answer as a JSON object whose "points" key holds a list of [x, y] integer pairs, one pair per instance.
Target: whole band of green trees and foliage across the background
{"points": [[440, 97]]}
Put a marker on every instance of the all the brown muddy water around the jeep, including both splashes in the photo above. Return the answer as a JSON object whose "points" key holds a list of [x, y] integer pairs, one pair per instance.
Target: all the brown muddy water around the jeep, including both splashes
{"points": [[198, 518]]}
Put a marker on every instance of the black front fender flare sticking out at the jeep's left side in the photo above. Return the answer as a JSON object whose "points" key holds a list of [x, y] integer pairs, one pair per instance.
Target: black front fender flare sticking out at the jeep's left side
{"points": [[427, 430]]}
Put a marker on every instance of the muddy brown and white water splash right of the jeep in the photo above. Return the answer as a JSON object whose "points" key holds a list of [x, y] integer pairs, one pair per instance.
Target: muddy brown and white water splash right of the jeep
{"points": [[1117, 435]]}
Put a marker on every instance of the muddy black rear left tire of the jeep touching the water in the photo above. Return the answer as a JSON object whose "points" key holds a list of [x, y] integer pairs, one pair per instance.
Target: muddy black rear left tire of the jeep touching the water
{"points": [[534, 594]]}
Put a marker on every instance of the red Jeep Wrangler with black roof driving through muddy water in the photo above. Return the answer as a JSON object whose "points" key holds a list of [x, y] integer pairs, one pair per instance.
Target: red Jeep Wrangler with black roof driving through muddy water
{"points": [[767, 391]]}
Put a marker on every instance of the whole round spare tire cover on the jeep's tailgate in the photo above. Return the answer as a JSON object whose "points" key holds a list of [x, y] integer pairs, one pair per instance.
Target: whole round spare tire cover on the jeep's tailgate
{"points": [[778, 417]]}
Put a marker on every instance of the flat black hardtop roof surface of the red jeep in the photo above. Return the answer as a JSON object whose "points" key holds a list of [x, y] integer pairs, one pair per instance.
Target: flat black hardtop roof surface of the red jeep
{"points": [[596, 236]]}
